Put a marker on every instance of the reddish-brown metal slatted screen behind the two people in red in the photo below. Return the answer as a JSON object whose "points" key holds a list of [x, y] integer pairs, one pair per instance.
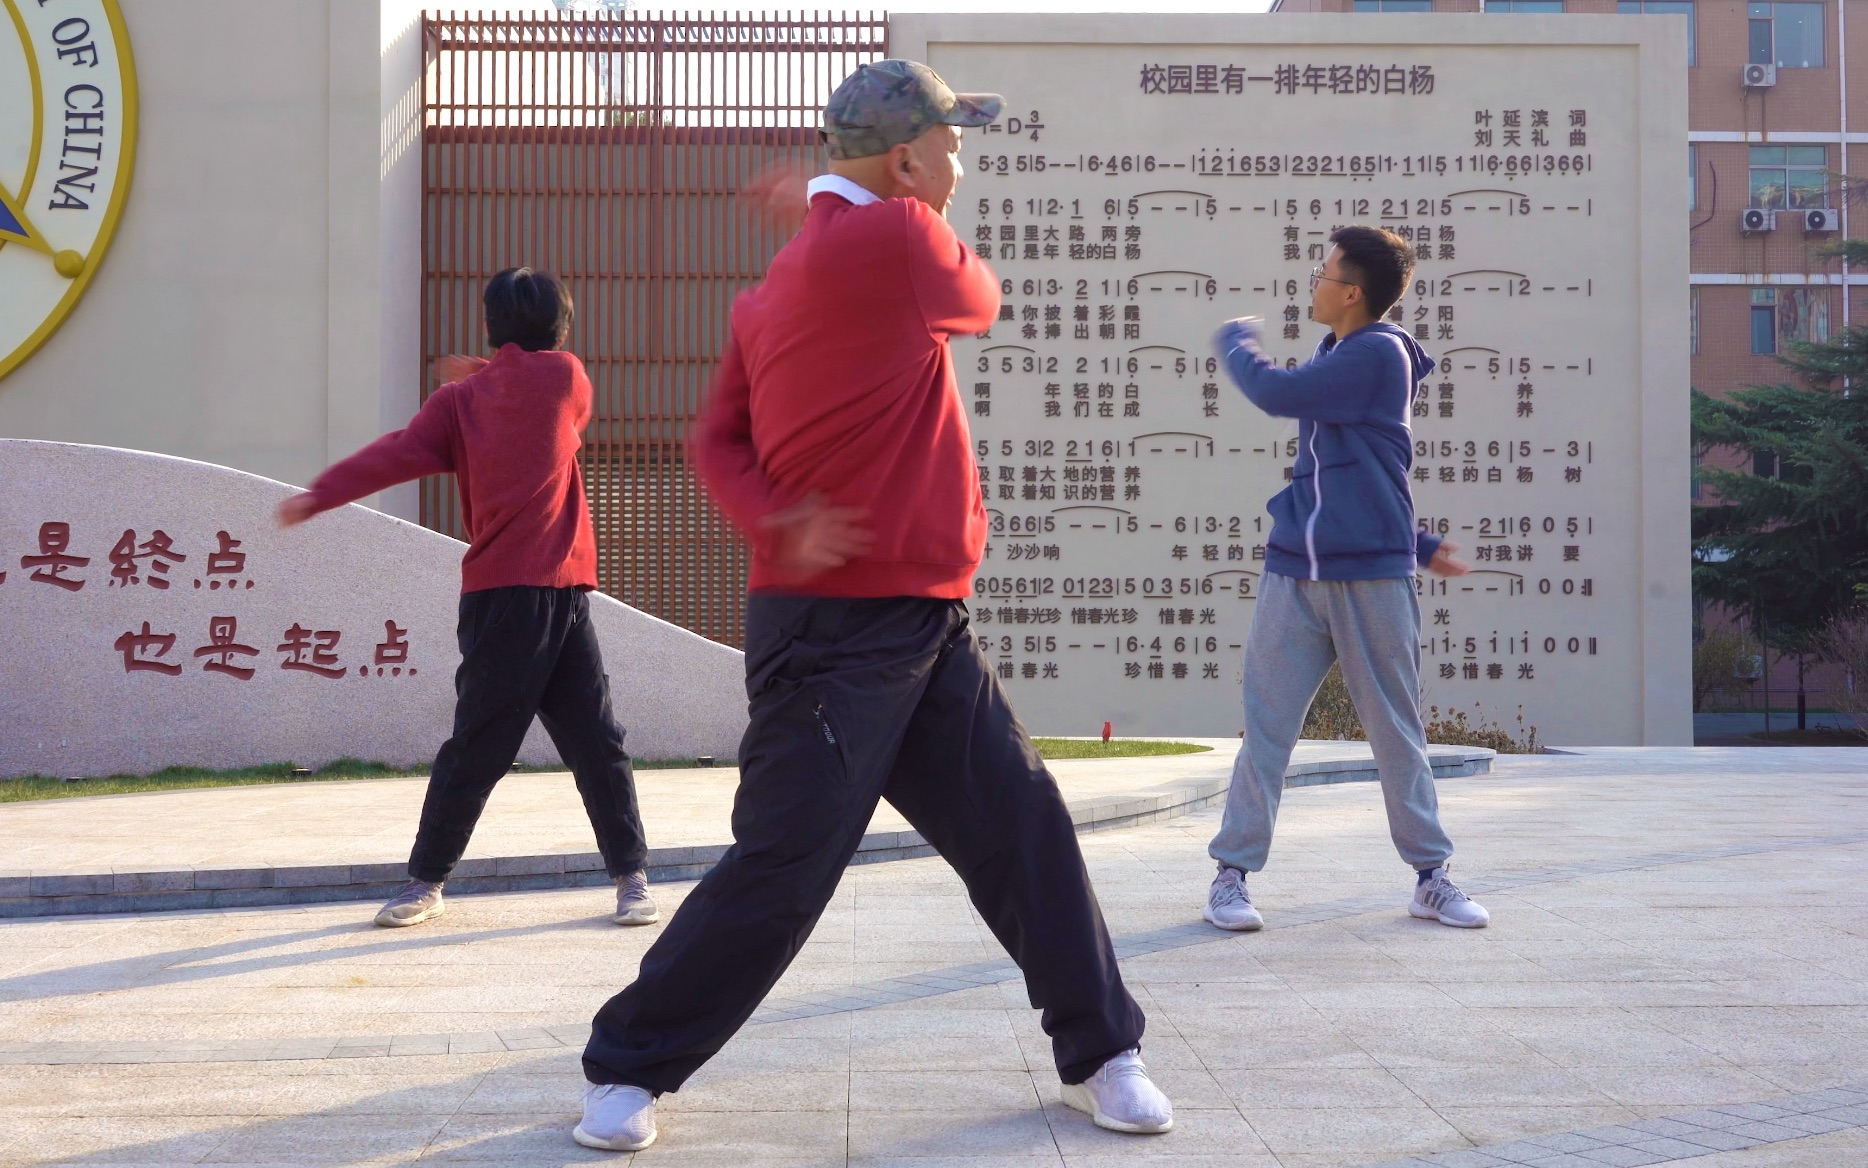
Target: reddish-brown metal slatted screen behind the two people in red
{"points": [[612, 150]]}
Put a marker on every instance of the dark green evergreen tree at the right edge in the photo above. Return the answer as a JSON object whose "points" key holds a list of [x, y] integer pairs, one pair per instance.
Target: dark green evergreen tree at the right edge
{"points": [[1789, 550]]}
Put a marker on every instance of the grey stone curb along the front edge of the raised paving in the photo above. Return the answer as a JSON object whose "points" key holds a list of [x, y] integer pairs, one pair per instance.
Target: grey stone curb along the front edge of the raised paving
{"points": [[33, 894]]}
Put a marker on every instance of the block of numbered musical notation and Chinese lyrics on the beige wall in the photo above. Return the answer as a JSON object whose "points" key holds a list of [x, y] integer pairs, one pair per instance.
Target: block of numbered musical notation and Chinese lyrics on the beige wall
{"points": [[1124, 474]]}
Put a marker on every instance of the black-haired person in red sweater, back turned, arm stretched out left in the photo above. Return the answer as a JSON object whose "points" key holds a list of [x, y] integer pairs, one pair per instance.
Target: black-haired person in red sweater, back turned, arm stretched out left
{"points": [[511, 429]]}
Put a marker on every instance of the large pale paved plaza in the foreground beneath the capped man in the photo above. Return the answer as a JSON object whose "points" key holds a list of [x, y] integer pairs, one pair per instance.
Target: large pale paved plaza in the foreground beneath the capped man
{"points": [[1677, 971]]}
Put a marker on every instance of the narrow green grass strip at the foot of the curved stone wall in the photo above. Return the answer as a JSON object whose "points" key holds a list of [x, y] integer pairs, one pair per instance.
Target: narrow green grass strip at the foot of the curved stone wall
{"points": [[188, 778]]}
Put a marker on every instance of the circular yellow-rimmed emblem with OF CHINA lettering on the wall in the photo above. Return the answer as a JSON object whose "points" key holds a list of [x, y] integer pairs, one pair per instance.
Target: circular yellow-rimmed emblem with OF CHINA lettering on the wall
{"points": [[68, 137]]}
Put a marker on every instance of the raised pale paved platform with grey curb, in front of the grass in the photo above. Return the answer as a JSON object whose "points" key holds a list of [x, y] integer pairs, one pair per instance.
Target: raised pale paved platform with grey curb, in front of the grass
{"points": [[231, 848]]}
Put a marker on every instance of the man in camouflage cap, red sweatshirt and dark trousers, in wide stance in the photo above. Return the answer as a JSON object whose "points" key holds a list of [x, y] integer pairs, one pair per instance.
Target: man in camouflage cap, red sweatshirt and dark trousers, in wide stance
{"points": [[838, 442]]}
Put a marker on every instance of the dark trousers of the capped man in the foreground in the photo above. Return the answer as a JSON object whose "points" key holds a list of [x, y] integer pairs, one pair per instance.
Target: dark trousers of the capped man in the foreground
{"points": [[855, 702]]}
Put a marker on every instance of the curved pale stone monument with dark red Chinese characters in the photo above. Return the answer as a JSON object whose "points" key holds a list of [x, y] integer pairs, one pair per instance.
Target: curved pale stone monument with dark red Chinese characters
{"points": [[154, 614]]}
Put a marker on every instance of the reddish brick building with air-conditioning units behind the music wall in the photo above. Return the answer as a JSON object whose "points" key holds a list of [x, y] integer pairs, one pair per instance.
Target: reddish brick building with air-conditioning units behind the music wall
{"points": [[1770, 100]]}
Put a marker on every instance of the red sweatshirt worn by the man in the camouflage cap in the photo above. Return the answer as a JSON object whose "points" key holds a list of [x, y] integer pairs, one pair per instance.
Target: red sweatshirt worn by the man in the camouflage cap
{"points": [[840, 382]]}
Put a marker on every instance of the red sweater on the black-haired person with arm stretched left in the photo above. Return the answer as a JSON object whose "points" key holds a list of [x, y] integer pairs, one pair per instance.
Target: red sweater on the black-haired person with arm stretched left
{"points": [[511, 434]]}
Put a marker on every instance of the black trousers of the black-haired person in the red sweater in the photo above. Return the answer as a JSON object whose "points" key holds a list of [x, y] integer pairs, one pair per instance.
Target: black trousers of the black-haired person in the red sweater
{"points": [[530, 653]]}
